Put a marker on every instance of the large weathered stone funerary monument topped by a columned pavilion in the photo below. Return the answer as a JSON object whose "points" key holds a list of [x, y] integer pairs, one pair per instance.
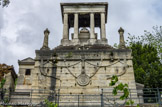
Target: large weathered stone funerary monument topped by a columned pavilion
{"points": [[83, 63]]}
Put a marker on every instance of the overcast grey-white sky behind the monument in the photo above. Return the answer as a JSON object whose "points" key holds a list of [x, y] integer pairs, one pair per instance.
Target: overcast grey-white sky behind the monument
{"points": [[22, 24]]}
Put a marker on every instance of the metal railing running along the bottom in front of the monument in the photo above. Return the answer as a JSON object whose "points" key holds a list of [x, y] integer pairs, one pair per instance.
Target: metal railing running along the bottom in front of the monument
{"points": [[104, 99]]}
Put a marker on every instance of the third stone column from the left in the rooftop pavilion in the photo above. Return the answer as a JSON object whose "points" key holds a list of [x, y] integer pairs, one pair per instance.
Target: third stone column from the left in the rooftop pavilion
{"points": [[92, 25]]}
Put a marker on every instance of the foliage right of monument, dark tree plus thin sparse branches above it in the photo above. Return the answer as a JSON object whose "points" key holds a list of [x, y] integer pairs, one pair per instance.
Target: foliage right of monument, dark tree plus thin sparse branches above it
{"points": [[146, 52]]}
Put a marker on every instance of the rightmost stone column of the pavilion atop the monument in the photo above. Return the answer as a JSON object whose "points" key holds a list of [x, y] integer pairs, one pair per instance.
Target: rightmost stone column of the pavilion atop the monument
{"points": [[103, 32]]}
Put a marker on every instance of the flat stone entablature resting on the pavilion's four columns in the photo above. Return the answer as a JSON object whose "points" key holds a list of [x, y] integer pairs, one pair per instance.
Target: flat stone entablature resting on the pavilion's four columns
{"points": [[89, 7]]}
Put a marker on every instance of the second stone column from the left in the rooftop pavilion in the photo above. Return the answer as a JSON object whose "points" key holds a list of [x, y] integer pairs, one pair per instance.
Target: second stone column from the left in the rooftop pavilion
{"points": [[76, 28]]}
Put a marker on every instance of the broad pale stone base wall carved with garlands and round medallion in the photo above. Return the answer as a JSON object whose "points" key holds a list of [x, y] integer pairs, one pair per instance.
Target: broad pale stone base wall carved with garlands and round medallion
{"points": [[99, 67]]}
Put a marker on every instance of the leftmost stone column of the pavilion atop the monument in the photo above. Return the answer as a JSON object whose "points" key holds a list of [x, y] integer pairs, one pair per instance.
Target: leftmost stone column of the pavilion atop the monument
{"points": [[66, 27]]}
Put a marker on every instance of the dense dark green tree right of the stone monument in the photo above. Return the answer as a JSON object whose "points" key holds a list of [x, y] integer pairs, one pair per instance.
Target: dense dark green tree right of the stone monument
{"points": [[147, 66]]}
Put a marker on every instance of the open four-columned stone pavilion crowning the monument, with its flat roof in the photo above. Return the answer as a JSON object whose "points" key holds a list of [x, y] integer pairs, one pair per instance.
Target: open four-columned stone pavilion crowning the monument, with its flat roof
{"points": [[83, 15]]}
